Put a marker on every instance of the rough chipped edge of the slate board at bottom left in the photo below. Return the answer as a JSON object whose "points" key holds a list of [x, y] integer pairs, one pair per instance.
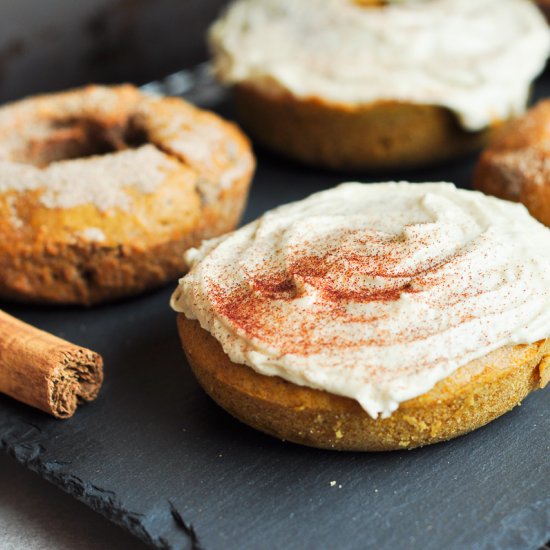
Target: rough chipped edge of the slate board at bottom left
{"points": [[27, 451]]}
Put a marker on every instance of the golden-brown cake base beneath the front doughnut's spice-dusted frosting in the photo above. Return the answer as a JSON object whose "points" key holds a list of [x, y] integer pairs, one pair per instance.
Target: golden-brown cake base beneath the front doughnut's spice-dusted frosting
{"points": [[473, 396]]}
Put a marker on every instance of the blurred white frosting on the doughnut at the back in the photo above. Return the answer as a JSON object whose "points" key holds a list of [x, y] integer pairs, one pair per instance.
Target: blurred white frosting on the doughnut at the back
{"points": [[477, 58]]}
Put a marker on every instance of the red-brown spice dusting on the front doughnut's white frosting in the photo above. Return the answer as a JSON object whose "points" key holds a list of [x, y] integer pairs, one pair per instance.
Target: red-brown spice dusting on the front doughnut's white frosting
{"points": [[289, 308]]}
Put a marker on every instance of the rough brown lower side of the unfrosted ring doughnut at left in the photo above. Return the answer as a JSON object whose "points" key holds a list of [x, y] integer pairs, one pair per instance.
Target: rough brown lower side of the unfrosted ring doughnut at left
{"points": [[89, 273]]}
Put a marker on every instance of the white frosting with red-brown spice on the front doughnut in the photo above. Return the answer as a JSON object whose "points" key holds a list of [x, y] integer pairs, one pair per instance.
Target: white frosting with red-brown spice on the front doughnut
{"points": [[373, 291]]}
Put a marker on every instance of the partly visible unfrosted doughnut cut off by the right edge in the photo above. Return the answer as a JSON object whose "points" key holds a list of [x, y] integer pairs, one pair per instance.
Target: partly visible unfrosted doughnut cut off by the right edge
{"points": [[516, 165]]}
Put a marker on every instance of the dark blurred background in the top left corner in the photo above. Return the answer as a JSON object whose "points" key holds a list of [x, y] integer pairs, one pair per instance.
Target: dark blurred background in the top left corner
{"points": [[52, 44]]}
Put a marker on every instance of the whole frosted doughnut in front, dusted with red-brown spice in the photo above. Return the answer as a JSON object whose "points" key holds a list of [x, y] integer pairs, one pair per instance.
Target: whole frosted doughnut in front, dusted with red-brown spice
{"points": [[372, 317]]}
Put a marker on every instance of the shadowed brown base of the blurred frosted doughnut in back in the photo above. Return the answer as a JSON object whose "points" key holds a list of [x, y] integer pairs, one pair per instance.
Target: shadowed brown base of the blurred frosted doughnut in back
{"points": [[375, 137]]}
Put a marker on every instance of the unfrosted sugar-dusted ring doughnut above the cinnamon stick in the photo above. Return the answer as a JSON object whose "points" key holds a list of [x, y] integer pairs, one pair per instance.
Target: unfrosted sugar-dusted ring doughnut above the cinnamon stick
{"points": [[102, 190]]}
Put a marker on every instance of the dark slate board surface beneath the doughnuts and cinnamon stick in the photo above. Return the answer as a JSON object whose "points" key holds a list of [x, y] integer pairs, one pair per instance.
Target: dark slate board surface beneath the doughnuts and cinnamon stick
{"points": [[155, 455]]}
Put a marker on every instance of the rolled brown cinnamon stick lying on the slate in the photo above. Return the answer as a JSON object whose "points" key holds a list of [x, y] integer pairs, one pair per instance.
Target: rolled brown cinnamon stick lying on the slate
{"points": [[45, 371]]}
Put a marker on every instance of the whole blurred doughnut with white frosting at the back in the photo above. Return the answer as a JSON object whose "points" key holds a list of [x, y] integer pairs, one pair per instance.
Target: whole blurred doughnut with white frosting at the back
{"points": [[371, 84]]}
